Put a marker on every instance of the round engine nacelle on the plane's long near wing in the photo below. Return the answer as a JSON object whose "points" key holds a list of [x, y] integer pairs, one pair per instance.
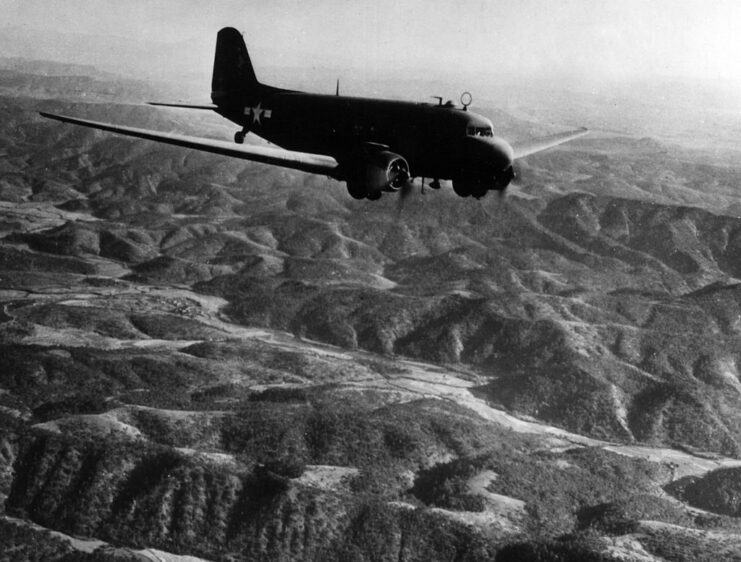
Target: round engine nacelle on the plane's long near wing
{"points": [[375, 172]]}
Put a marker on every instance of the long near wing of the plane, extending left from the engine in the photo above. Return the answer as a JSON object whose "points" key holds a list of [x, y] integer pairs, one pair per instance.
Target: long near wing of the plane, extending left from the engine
{"points": [[303, 161]]}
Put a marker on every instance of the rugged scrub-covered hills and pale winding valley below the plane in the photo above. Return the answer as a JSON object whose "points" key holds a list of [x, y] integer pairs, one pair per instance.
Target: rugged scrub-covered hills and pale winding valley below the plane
{"points": [[218, 360]]}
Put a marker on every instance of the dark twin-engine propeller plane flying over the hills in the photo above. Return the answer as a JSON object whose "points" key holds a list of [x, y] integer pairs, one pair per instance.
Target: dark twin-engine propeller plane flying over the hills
{"points": [[374, 145]]}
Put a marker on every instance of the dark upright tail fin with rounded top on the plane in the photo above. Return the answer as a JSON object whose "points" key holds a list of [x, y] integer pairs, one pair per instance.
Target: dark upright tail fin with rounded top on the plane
{"points": [[233, 75]]}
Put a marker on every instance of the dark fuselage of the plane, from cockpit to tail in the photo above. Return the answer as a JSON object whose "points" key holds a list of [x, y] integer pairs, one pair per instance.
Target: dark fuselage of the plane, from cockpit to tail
{"points": [[438, 141]]}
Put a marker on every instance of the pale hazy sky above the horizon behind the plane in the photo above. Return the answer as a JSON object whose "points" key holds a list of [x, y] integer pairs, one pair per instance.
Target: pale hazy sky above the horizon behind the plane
{"points": [[590, 38]]}
